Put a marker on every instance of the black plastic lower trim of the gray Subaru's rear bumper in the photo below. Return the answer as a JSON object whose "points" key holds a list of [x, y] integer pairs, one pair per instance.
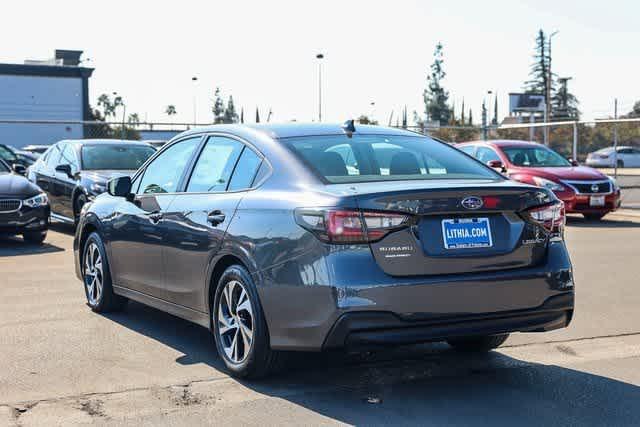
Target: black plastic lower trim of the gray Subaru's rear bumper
{"points": [[372, 329]]}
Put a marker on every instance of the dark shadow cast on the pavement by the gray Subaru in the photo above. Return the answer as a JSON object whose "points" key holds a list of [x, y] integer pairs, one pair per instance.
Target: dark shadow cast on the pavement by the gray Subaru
{"points": [[428, 384]]}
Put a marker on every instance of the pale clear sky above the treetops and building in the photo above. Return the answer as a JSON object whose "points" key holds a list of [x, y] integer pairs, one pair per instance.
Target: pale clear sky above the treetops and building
{"points": [[264, 52]]}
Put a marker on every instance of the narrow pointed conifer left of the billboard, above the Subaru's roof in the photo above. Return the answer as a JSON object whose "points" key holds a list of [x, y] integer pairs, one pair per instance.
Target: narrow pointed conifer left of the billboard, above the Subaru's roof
{"points": [[435, 96]]}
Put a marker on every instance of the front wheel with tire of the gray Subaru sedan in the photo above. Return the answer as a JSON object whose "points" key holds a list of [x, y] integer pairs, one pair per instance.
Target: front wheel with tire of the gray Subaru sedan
{"points": [[97, 278]]}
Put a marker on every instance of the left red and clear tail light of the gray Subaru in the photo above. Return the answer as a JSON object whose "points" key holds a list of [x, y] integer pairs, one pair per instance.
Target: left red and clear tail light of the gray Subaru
{"points": [[347, 226]]}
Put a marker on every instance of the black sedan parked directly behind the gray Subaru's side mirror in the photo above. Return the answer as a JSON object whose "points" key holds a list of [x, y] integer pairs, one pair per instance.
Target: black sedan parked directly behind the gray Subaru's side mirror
{"points": [[75, 171]]}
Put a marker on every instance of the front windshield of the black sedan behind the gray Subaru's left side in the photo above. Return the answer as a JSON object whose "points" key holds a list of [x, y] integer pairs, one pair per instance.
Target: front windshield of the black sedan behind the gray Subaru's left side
{"points": [[122, 157]]}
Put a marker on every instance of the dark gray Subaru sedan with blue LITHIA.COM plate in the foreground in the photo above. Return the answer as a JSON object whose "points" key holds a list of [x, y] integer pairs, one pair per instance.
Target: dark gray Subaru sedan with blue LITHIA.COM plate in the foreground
{"points": [[294, 237]]}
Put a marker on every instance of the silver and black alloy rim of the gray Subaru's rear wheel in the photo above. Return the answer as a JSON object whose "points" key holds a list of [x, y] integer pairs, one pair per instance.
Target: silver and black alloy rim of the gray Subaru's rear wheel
{"points": [[235, 321]]}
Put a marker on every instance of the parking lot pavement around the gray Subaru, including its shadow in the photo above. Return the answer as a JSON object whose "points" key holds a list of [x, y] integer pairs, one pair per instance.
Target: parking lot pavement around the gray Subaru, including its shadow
{"points": [[61, 364]]}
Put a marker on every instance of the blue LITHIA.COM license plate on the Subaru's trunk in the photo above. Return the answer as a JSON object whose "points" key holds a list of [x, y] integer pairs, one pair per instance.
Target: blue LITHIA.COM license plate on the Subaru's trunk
{"points": [[466, 233]]}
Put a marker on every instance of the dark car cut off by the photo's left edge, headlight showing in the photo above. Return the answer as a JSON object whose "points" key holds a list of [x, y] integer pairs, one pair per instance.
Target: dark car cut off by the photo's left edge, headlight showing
{"points": [[24, 208]]}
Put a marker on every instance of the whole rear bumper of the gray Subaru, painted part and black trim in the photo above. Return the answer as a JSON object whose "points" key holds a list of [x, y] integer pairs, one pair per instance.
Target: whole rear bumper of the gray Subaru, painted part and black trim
{"points": [[361, 305]]}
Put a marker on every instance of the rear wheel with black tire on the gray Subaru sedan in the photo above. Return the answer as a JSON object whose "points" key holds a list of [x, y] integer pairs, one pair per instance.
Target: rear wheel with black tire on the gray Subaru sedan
{"points": [[239, 327]]}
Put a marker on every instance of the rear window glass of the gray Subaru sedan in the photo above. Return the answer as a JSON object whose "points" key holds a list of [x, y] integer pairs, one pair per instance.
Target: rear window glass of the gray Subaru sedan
{"points": [[368, 158]]}
